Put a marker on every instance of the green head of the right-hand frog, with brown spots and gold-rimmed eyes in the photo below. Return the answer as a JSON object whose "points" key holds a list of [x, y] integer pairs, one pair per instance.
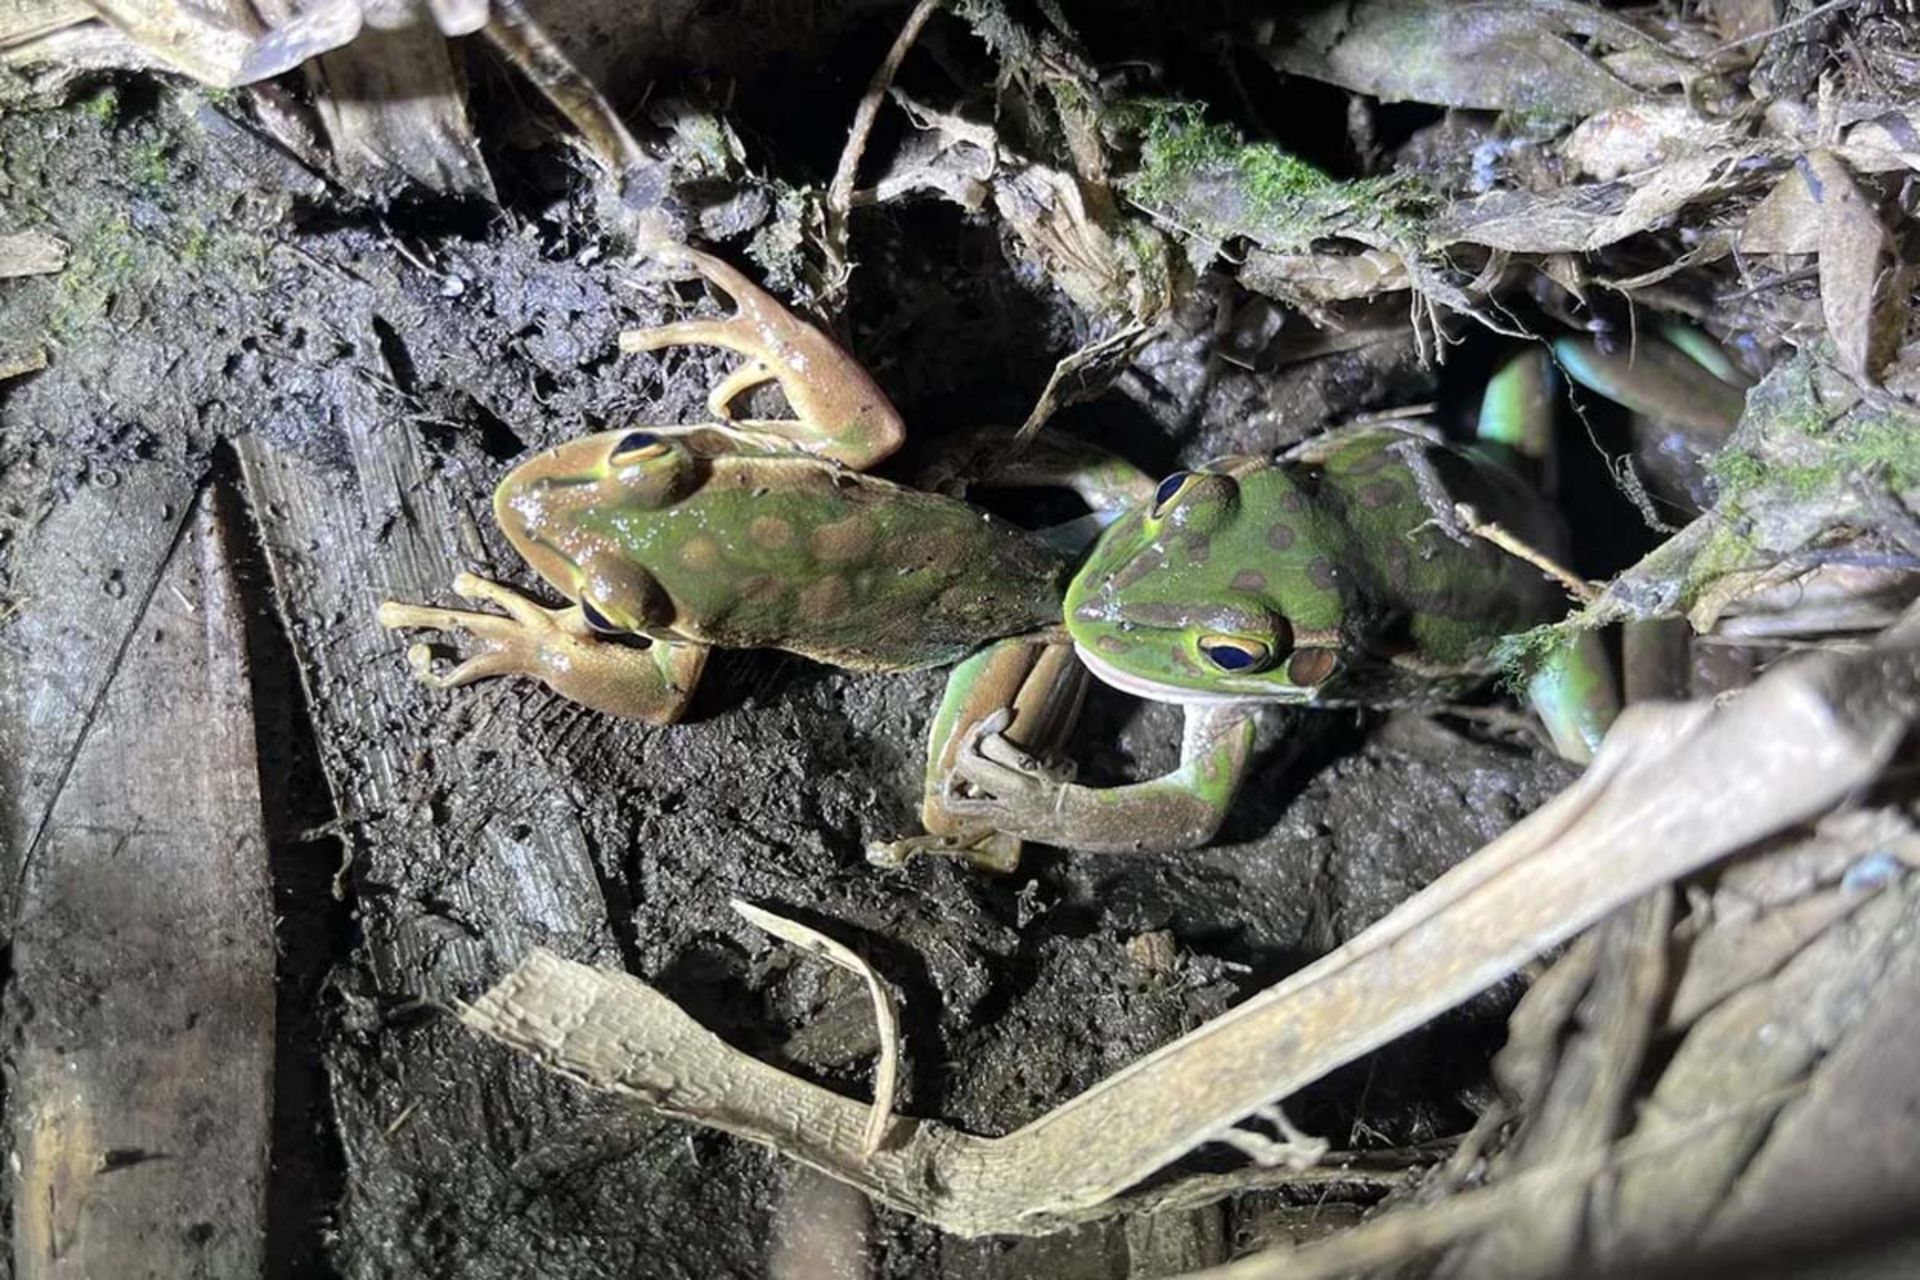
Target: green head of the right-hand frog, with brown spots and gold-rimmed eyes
{"points": [[1222, 590]]}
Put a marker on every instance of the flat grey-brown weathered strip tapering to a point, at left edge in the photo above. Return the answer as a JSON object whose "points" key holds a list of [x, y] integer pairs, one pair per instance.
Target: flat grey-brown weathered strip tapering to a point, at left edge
{"points": [[145, 955]]}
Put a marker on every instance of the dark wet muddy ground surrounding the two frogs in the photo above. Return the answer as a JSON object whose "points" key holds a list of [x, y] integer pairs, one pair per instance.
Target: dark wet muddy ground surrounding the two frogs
{"points": [[360, 381]]}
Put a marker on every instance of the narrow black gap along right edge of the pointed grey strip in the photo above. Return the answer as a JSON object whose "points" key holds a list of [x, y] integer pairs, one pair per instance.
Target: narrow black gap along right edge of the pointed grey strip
{"points": [[314, 930]]}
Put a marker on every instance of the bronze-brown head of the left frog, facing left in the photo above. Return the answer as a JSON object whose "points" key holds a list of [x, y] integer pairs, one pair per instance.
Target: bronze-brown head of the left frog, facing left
{"points": [[579, 511]]}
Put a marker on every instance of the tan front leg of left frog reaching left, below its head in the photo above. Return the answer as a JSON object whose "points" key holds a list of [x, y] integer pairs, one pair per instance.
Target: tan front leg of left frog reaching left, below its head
{"points": [[558, 648]]}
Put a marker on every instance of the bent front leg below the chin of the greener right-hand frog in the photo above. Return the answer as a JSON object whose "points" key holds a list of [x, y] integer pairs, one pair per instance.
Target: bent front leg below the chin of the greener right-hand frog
{"points": [[1013, 792]]}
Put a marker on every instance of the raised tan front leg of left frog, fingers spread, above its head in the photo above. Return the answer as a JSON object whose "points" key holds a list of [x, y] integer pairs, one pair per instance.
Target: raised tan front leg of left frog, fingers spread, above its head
{"points": [[840, 412]]}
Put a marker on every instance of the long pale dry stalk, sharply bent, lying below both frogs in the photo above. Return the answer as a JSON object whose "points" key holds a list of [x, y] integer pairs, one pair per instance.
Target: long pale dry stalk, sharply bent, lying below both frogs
{"points": [[1783, 753]]}
